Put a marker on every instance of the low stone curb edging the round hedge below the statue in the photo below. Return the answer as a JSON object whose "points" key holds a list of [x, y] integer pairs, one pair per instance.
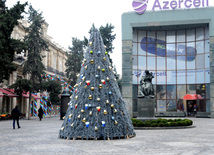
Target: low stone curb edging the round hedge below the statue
{"points": [[163, 128]]}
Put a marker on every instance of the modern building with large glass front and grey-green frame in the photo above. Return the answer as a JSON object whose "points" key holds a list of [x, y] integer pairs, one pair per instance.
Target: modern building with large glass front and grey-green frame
{"points": [[177, 47]]}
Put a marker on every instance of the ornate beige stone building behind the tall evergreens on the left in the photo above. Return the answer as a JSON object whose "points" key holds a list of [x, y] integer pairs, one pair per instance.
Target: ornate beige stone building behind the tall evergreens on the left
{"points": [[54, 61]]}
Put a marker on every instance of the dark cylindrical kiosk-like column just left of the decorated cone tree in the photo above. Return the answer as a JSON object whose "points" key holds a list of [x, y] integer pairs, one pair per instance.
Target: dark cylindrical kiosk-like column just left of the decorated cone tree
{"points": [[65, 98]]}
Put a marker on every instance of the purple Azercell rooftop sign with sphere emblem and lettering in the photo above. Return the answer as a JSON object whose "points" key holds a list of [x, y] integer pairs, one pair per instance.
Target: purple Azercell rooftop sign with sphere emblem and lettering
{"points": [[140, 6]]}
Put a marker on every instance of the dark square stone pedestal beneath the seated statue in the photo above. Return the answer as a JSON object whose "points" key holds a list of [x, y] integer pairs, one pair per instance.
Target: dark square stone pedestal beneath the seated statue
{"points": [[145, 107]]}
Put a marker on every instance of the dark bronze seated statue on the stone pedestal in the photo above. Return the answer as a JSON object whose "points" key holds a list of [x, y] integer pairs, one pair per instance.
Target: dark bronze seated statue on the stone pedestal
{"points": [[146, 87]]}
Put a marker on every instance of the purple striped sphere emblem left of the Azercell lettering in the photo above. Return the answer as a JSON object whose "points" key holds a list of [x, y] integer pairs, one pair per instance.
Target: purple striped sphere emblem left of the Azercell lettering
{"points": [[140, 6]]}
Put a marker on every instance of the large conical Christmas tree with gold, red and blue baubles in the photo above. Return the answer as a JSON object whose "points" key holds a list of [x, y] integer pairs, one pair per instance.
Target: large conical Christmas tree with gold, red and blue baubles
{"points": [[96, 109]]}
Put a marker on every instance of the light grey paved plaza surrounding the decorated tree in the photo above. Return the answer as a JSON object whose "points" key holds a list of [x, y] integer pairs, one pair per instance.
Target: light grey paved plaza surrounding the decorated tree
{"points": [[41, 137]]}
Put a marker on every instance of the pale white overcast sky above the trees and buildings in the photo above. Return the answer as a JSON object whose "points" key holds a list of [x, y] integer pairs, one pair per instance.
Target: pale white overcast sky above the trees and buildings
{"points": [[74, 18]]}
